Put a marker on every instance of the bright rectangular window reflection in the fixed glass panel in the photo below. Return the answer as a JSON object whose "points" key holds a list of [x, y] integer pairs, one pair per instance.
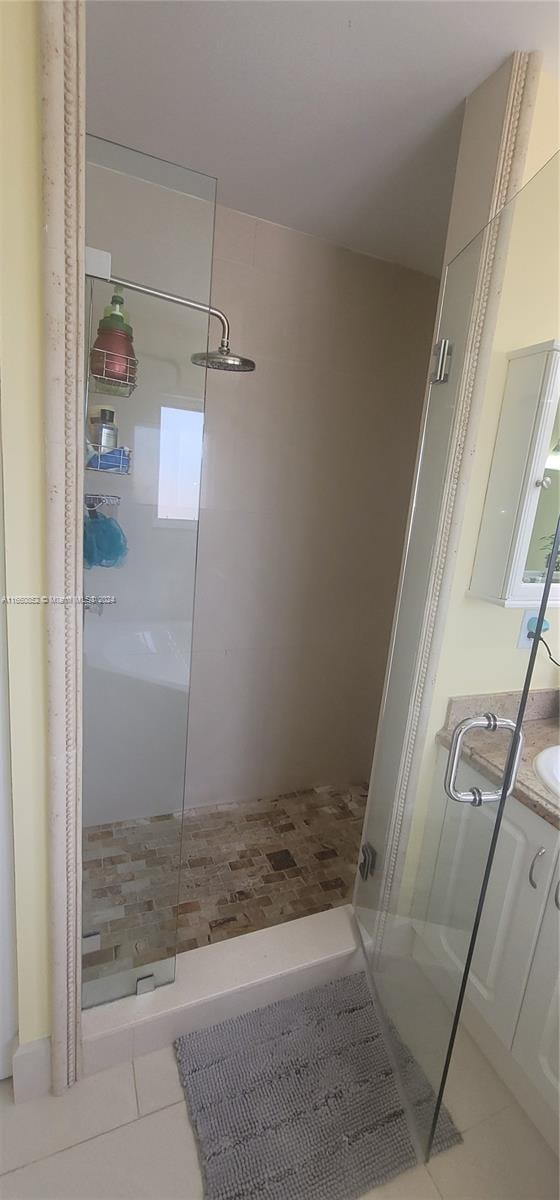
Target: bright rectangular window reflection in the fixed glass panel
{"points": [[180, 458]]}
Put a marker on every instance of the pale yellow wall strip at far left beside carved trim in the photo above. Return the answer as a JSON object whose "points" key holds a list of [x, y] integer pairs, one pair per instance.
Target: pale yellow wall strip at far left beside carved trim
{"points": [[22, 421]]}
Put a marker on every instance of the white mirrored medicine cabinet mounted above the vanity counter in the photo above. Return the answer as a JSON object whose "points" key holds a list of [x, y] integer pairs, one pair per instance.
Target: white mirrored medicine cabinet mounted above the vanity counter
{"points": [[521, 506]]}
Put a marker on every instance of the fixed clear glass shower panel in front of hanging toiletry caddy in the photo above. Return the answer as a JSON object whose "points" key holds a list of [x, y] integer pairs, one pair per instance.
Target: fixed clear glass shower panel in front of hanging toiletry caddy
{"points": [[143, 463]]}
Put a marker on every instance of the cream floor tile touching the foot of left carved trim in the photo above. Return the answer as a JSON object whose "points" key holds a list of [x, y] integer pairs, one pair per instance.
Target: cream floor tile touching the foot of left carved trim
{"points": [[41, 1127]]}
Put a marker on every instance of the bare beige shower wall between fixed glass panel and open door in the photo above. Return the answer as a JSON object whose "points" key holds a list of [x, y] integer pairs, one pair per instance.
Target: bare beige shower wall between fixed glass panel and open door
{"points": [[305, 494]]}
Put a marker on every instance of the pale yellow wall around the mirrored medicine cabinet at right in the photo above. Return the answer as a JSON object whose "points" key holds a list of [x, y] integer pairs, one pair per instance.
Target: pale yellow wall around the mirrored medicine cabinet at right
{"points": [[480, 650]]}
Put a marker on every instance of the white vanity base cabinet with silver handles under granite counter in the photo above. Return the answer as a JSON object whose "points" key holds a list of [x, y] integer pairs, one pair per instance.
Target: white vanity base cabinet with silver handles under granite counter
{"points": [[513, 997]]}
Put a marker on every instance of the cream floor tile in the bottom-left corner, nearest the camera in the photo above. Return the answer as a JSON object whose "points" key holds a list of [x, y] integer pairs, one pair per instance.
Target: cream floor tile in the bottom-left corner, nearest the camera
{"points": [[154, 1159]]}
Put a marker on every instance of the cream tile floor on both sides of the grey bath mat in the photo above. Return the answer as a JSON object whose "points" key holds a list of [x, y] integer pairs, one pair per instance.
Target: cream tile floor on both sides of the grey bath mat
{"points": [[125, 1133]]}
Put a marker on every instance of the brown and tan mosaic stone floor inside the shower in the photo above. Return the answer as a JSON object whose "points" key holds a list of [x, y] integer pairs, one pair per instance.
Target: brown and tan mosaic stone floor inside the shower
{"points": [[245, 867]]}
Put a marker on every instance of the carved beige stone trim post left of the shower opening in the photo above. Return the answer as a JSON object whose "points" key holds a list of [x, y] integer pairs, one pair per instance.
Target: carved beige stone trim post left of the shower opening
{"points": [[63, 38]]}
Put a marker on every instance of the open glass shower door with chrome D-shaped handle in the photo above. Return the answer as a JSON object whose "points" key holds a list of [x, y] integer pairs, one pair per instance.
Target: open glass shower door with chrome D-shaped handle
{"points": [[450, 734]]}
